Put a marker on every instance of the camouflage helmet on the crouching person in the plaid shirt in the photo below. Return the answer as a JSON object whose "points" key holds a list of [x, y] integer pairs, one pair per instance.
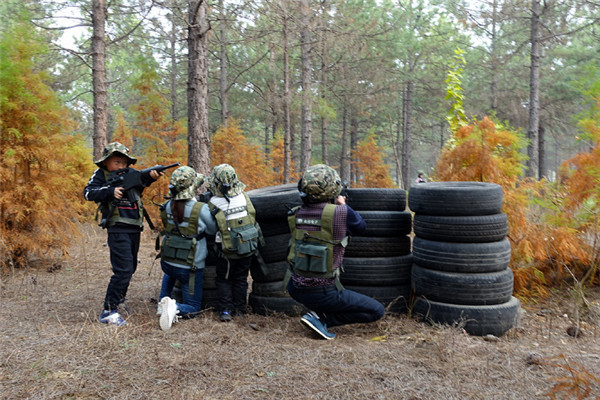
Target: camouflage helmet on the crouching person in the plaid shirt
{"points": [[320, 183]]}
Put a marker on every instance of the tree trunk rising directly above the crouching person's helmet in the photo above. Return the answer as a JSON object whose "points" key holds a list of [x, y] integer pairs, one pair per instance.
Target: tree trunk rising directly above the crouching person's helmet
{"points": [[306, 49]]}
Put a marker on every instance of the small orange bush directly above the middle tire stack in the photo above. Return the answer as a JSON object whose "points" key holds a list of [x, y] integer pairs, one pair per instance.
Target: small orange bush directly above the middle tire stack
{"points": [[370, 167]]}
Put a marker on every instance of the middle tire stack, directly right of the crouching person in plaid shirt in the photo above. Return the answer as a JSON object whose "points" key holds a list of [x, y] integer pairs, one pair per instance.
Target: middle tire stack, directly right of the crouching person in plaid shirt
{"points": [[378, 262]]}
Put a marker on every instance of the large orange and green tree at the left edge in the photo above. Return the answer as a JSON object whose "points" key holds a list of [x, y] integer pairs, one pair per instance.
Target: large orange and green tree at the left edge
{"points": [[43, 168]]}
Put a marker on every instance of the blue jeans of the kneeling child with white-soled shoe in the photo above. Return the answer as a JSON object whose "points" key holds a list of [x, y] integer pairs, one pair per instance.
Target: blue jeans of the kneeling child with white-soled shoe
{"points": [[191, 304]]}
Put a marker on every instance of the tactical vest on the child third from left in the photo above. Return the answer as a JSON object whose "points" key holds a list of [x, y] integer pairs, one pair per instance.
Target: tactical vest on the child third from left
{"points": [[240, 236]]}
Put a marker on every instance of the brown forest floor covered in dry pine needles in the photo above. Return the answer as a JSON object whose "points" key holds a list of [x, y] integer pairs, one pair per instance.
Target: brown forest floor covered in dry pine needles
{"points": [[53, 347]]}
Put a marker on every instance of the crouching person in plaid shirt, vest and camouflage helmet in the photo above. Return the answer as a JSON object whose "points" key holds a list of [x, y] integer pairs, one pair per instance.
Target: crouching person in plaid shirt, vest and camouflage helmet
{"points": [[320, 229]]}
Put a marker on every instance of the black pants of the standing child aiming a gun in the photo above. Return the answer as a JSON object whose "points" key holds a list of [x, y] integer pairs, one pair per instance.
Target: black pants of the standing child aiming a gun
{"points": [[123, 257]]}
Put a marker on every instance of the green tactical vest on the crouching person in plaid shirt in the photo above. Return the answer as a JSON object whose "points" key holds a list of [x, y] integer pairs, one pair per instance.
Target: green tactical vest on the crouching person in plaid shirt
{"points": [[311, 252]]}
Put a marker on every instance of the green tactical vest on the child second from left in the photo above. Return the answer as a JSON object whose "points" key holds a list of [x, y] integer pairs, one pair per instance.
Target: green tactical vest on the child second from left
{"points": [[179, 244]]}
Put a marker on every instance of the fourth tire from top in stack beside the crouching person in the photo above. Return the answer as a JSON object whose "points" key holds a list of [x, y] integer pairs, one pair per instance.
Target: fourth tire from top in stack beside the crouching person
{"points": [[377, 271]]}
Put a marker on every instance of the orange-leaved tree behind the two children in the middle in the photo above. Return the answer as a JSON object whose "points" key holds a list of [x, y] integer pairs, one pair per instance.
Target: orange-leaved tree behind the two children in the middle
{"points": [[230, 146]]}
